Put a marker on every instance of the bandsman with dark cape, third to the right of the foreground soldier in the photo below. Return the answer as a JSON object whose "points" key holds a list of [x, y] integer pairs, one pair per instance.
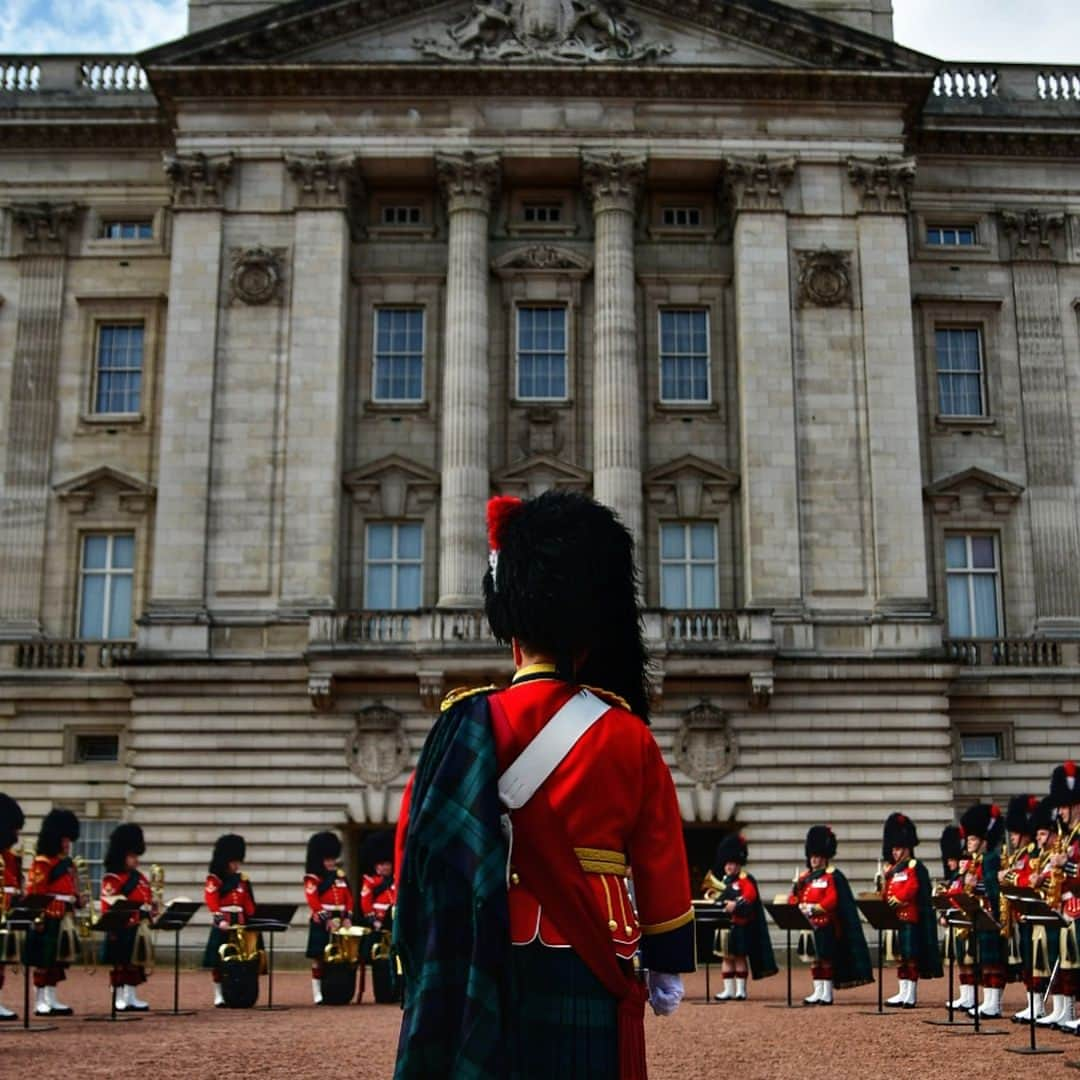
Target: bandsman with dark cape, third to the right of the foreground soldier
{"points": [[908, 892]]}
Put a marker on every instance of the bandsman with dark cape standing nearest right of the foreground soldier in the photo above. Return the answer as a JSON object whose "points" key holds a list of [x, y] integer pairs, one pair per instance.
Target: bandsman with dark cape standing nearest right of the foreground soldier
{"points": [[746, 948]]}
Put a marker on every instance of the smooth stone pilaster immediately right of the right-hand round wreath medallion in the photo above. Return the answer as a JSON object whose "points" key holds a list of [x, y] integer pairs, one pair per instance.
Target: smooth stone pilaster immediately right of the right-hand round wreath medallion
{"points": [[884, 186]]}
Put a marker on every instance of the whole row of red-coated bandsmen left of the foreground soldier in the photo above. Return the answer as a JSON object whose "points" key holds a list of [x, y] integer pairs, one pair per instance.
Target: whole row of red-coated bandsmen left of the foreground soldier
{"points": [[53, 944]]}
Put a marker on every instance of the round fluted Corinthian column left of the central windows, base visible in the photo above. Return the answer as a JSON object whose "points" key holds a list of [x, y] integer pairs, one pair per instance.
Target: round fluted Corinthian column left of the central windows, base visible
{"points": [[469, 183]]}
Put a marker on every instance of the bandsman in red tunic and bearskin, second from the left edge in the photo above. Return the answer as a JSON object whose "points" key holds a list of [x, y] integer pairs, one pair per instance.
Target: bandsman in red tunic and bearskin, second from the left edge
{"points": [[52, 949]]}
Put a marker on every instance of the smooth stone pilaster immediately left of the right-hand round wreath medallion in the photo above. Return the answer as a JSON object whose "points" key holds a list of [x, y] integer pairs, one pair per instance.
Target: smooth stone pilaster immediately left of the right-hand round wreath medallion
{"points": [[771, 516]]}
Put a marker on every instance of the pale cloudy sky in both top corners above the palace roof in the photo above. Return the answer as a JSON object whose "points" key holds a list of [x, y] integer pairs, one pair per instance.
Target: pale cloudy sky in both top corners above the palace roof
{"points": [[1034, 32]]}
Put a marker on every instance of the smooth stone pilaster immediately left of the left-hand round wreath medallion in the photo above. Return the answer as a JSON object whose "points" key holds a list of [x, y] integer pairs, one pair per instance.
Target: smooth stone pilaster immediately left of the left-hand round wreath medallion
{"points": [[177, 619]]}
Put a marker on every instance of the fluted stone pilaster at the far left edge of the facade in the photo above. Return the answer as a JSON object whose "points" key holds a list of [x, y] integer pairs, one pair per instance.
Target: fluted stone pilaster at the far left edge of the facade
{"points": [[42, 232]]}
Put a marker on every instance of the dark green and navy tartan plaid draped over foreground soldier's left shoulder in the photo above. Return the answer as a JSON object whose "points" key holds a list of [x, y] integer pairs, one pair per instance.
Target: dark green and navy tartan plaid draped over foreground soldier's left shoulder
{"points": [[452, 927]]}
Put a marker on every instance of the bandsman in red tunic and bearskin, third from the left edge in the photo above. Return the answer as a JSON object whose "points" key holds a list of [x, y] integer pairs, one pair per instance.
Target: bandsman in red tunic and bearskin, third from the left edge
{"points": [[128, 951]]}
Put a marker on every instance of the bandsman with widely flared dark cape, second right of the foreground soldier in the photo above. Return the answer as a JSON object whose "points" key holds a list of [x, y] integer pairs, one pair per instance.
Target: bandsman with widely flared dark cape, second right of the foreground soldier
{"points": [[841, 957]]}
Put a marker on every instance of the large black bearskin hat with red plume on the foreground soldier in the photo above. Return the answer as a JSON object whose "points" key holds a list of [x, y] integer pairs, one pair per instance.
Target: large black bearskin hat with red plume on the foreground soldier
{"points": [[562, 582]]}
